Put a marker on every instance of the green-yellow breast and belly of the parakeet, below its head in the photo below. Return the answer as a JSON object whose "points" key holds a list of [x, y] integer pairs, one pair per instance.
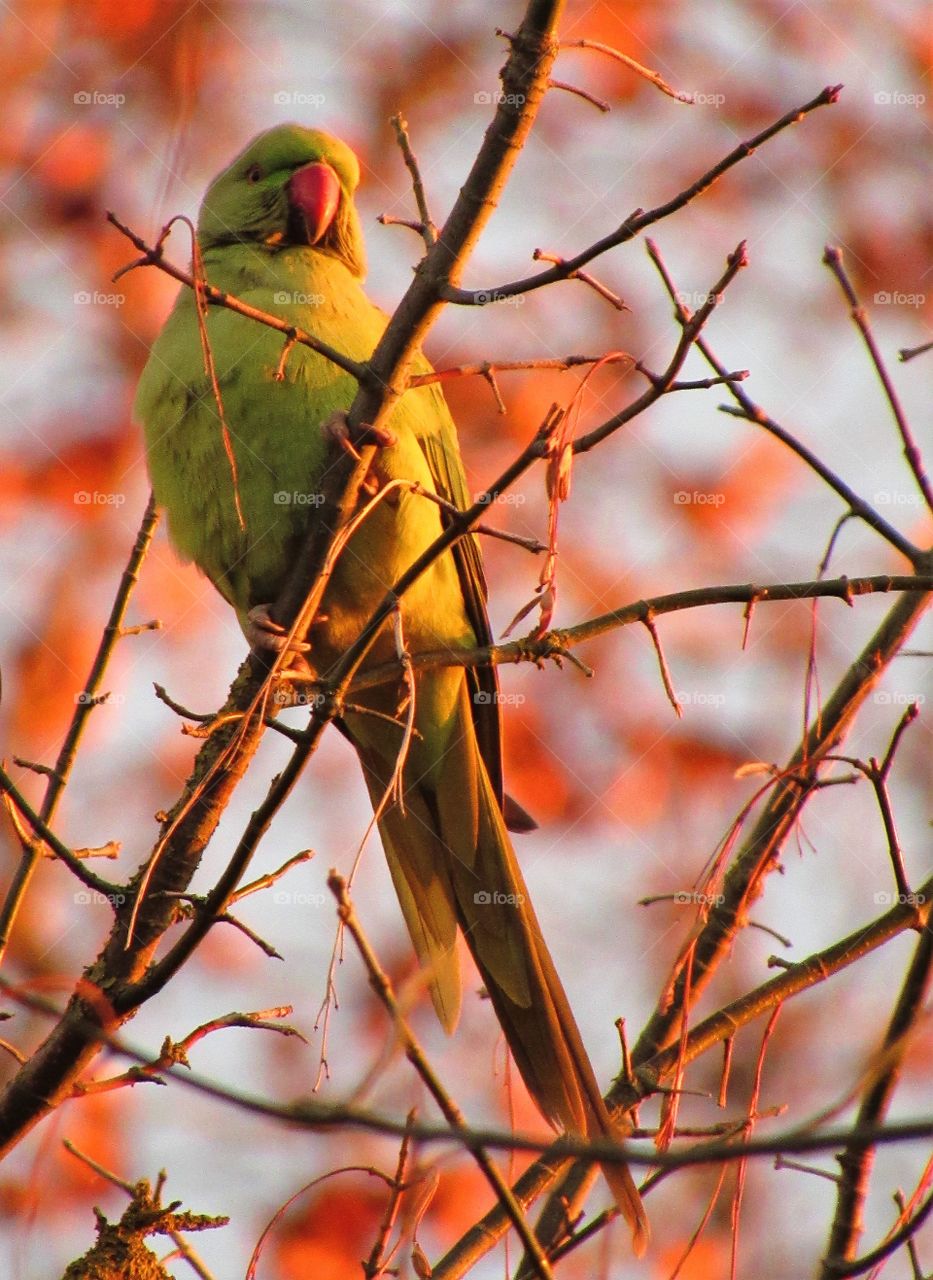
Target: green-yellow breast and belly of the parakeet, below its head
{"points": [[237, 451]]}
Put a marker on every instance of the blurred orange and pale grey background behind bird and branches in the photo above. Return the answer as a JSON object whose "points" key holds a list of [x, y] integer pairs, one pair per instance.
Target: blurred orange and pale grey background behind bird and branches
{"points": [[134, 109]]}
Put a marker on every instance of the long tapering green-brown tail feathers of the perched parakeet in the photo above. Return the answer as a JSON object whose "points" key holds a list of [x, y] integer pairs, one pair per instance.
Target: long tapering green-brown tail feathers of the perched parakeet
{"points": [[454, 867]]}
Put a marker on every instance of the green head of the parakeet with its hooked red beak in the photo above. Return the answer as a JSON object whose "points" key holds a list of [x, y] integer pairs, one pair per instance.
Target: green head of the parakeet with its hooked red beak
{"points": [[291, 186]]}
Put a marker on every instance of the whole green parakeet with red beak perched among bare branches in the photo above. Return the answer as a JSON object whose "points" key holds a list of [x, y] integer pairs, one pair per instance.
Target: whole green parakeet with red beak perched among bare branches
{"points": [[280, 230]]}
